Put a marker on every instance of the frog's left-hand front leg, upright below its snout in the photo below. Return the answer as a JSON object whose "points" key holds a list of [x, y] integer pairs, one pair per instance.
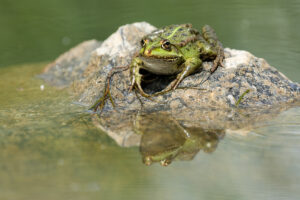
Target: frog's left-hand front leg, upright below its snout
{"points": [[135, 76]]}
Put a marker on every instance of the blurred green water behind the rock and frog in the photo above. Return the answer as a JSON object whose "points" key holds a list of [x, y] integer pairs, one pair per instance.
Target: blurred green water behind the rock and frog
{"points": [[40, 30]]}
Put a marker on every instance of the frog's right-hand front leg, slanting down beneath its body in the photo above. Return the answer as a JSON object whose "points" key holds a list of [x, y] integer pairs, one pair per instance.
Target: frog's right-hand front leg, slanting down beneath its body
{"points": [[189, 67]]}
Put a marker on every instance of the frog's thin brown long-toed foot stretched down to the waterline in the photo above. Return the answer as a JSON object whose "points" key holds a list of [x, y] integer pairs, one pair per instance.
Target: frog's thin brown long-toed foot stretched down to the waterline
{"points": [[100, 103]]}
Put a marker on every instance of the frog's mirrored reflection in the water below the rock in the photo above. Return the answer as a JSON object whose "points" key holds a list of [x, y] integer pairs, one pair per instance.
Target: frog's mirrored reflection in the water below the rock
{"points": [[164, 139]]}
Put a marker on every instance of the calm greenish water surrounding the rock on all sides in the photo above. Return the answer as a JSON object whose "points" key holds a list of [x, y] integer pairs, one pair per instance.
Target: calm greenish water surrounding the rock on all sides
{"points": [[49, 148]]}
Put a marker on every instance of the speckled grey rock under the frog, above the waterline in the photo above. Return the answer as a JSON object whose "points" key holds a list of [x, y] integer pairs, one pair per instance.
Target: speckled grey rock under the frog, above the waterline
{"points": [[242, 71]]}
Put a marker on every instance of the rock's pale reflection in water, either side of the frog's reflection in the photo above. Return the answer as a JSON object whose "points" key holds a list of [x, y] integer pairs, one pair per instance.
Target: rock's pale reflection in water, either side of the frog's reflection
{"points": [[121, 125]]}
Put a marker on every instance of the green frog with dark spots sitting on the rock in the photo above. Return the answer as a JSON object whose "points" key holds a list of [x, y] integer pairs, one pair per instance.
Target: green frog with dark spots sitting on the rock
{"points": [[175, 49]]}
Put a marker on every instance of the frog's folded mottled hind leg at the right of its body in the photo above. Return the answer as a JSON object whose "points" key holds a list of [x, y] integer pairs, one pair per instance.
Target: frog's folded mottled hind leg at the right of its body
{"points": [[216, 47]]}
